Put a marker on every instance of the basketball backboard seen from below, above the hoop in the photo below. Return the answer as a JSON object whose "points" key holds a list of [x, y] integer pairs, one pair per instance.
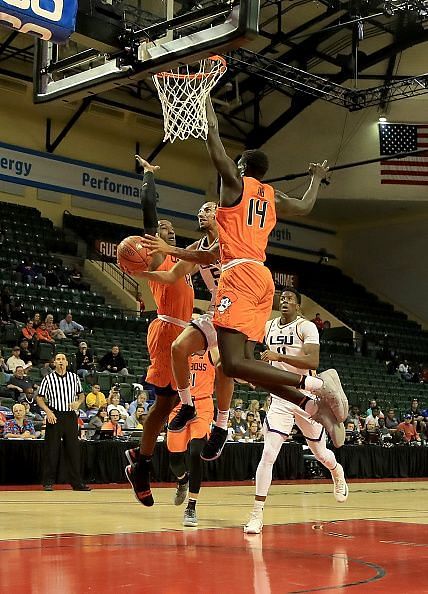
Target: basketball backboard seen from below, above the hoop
{"points": [[121, 41]]}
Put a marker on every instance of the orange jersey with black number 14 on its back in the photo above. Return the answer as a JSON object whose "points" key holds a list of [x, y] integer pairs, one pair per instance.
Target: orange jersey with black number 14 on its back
{"points": [[244, 229]]}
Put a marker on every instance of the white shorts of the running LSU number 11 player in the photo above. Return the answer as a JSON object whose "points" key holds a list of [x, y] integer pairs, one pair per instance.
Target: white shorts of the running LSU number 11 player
{"points": [[282, 415]]}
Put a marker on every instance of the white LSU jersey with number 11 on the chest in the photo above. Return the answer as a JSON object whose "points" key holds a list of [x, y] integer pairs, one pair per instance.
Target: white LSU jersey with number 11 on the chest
{"points": [[288, 339]]}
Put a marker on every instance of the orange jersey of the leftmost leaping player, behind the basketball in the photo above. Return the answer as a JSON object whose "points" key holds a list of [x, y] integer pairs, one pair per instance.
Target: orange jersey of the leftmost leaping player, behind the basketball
{"points": [[174, 300]]}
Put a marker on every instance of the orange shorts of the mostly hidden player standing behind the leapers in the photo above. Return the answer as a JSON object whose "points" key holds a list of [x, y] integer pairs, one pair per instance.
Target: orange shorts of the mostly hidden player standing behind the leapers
{"points": [[201, 427]]}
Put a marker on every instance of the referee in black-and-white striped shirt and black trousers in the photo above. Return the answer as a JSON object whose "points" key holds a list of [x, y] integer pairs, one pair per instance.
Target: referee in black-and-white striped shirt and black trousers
{"points": [[60, 395]]}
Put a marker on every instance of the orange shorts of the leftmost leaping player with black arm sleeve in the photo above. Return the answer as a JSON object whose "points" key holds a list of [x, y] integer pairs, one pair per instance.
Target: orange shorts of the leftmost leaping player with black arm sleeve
{"points": [[160, 337]]}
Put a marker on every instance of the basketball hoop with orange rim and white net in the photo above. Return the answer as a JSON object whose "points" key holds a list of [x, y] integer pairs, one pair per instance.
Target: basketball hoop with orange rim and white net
{"points": [[183, 92]]}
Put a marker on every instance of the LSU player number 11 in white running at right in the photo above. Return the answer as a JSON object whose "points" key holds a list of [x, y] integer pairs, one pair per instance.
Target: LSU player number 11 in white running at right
{"points": [[293, 345]]}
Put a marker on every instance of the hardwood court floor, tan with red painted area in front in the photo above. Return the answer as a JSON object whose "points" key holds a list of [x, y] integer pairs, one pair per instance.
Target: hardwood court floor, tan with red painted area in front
{"points": [[104, 541]]}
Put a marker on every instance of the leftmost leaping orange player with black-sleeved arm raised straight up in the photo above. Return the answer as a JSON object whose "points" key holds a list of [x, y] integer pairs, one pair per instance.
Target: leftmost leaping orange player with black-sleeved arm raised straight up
{"points": [[174, 306]]}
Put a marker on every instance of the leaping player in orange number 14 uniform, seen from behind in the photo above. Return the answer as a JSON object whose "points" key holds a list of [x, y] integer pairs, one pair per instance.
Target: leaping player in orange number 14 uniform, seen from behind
{"points": [[245, 218]]}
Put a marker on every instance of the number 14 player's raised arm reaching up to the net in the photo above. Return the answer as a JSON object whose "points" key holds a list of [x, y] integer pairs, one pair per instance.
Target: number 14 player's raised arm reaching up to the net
{"points": [[222, 162]]}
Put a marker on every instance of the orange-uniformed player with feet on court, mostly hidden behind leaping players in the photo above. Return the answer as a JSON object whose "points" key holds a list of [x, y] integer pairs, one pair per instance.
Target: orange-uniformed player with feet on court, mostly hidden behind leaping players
{"points": [[194, 436]]}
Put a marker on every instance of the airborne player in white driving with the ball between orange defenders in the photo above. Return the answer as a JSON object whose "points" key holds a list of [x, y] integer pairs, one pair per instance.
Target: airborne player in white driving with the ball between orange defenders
{"points": [[200, 334]]}
